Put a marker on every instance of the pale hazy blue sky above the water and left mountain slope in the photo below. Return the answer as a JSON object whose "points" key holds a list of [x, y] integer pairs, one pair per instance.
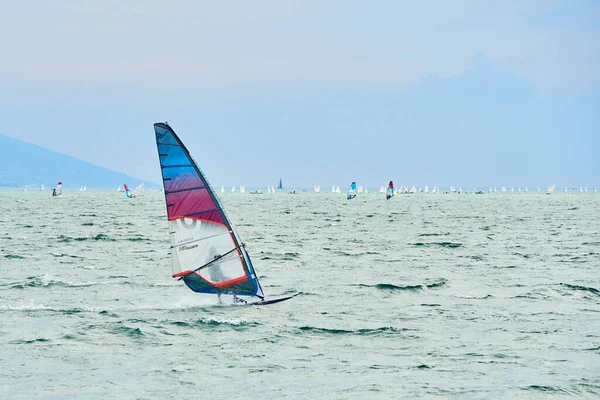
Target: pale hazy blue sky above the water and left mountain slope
{"points": [[463, 93]]}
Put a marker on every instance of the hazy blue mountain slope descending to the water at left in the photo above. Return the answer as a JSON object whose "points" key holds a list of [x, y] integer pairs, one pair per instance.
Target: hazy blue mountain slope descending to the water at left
{"points": [[24, 163]]}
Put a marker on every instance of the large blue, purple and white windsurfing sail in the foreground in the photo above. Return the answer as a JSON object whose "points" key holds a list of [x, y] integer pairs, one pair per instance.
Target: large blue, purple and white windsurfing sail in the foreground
{"points": [[206, 252]]}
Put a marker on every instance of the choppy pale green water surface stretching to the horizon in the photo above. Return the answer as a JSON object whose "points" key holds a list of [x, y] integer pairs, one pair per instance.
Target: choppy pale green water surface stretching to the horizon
{"points": [[424, 295]]}
